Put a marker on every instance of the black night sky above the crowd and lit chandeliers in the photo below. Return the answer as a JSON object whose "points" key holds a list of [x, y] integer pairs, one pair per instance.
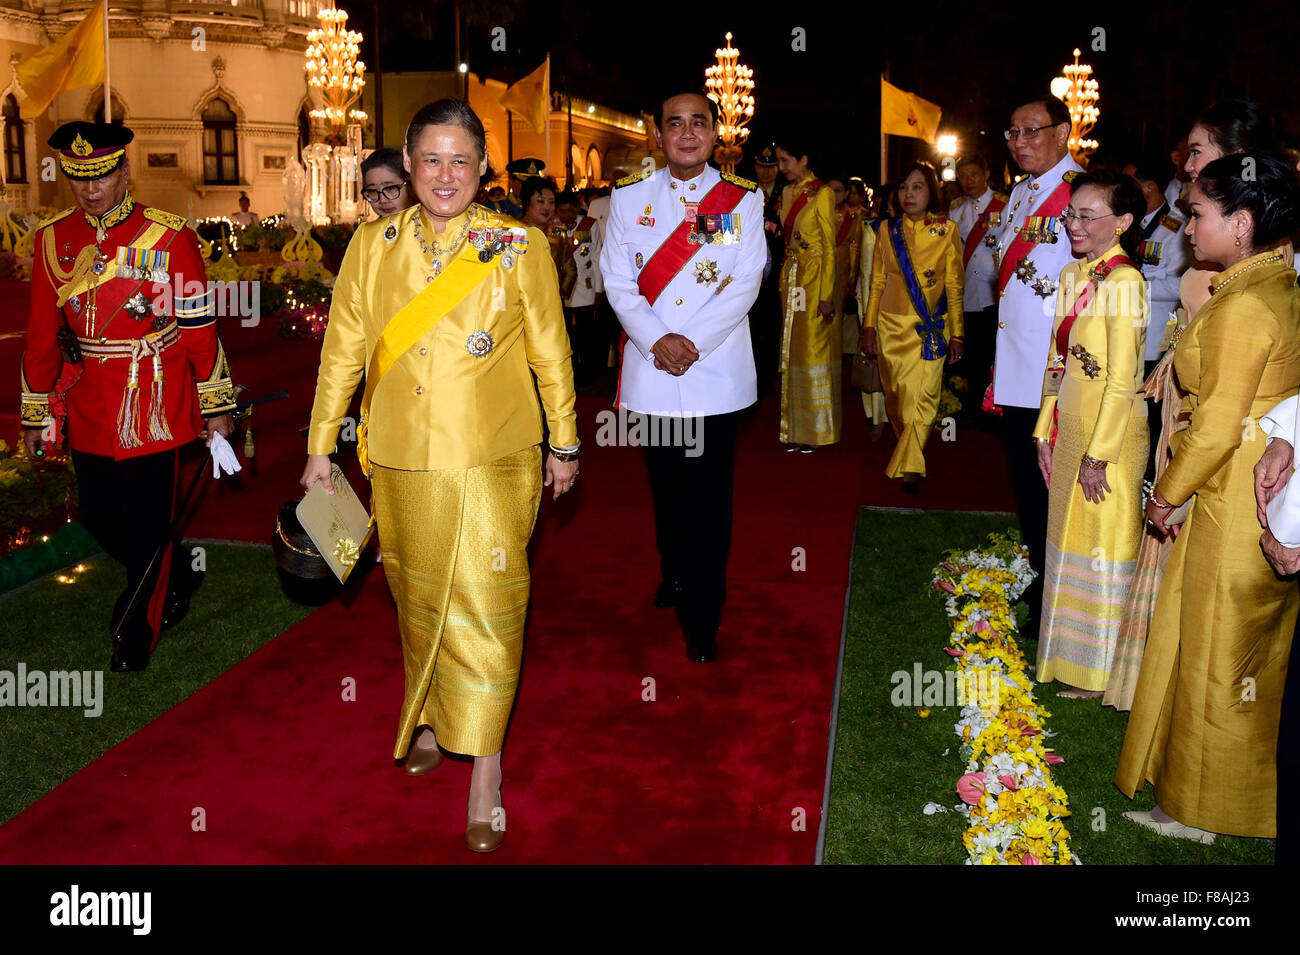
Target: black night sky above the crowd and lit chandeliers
{"points": [[1160, 64]]}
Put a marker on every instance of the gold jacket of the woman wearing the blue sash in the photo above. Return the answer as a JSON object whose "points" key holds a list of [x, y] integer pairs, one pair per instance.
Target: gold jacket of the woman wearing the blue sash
{"points": [[935, 245]]}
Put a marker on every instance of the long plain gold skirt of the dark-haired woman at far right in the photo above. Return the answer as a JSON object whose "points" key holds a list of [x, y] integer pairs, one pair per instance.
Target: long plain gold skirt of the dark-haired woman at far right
{"points": [[1204, 724]]}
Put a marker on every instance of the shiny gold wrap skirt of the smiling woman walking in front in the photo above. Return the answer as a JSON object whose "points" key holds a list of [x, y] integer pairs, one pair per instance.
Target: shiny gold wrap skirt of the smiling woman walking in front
{"points": [[456, 558]]}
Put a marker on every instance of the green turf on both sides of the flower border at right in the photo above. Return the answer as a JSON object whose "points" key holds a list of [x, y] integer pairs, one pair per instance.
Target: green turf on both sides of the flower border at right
{"points": [[890, 761]]}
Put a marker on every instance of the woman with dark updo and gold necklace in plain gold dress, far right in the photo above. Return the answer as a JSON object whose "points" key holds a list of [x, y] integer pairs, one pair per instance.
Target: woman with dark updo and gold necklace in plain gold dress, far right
{"points": [[1204, 722]]}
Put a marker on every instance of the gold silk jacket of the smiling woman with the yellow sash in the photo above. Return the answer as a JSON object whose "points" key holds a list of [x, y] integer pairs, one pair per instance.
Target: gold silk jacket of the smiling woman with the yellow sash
{"points": [[441, 406]]}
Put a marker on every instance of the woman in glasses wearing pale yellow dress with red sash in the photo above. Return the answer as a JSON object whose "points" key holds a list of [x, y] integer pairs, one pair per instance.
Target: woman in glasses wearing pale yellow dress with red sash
{"points": [[1093, 436]]}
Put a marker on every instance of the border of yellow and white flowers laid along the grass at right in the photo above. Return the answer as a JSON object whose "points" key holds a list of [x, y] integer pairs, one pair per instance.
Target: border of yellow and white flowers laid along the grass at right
{"points": [[1013, 808]]}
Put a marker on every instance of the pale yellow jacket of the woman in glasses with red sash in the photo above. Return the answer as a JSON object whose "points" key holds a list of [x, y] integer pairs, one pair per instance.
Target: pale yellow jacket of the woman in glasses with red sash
{"points": [[1108, 338]]}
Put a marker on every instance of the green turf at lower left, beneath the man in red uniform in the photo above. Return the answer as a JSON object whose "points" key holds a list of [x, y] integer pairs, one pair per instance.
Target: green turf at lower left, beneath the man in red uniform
{"points": [[54, 626]]}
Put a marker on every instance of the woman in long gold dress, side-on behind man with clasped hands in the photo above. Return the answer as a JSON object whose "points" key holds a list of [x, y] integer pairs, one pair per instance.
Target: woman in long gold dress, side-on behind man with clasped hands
{"points": [[811, 345]]}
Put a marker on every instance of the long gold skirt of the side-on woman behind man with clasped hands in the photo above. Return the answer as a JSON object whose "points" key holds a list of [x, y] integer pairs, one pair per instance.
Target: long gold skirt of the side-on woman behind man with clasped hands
{"points": [[812, 368]]}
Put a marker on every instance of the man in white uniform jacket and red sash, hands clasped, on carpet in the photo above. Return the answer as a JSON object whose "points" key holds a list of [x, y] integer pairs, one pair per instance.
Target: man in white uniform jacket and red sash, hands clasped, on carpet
{"points": [[682, 263]]}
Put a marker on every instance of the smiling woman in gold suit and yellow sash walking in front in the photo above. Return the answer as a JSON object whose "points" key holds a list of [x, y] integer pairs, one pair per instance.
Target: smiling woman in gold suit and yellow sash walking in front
{"points": [[452, 311]]}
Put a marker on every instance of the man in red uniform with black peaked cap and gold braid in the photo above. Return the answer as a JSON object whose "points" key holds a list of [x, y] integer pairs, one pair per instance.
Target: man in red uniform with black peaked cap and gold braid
{"points": [[123, 351]]}
